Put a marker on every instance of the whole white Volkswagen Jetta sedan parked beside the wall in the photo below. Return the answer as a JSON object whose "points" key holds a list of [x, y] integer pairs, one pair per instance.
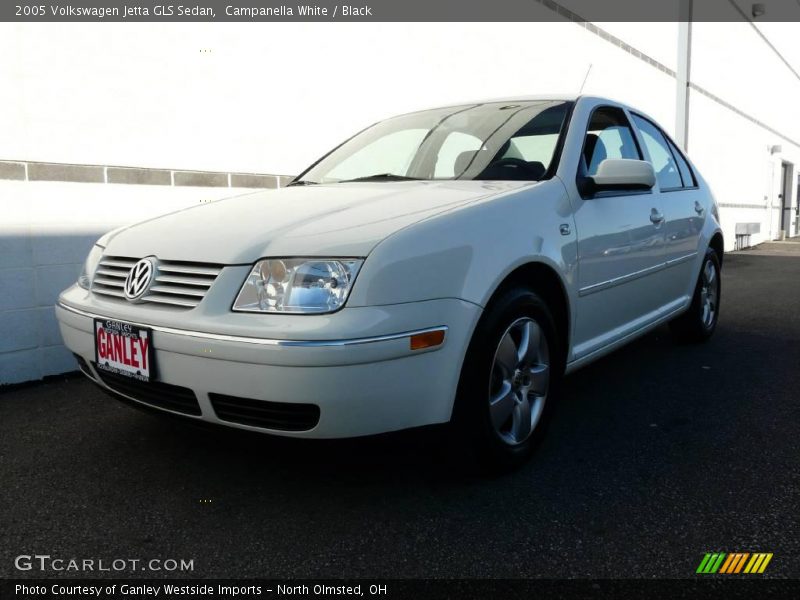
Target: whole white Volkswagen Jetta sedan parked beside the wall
{"points": [[448, 265]]}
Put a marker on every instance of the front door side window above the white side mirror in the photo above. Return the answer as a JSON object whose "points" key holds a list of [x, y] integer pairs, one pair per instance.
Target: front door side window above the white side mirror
{"points": [[609, 135]]}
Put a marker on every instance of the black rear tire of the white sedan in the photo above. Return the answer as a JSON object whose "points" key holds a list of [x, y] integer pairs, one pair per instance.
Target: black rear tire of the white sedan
{"points": [[694, 326]]}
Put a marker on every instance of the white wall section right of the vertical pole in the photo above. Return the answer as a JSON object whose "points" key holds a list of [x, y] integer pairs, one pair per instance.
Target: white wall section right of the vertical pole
{"points": [[734, 63]]}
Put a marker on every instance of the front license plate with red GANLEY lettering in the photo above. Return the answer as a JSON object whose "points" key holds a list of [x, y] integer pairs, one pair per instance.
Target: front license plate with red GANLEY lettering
{"points": [[123, 349]]}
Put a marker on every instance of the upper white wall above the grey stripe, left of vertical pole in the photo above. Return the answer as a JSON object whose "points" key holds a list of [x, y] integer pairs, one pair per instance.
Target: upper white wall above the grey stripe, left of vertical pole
{"points": [[271, 98]]}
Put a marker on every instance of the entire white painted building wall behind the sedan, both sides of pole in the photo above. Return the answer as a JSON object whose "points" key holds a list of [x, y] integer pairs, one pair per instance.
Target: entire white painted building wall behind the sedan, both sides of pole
{"points": [[271, 98]]}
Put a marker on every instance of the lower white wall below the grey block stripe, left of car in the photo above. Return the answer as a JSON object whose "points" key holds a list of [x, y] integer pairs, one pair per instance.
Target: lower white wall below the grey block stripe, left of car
{"points": [[47, 228]]}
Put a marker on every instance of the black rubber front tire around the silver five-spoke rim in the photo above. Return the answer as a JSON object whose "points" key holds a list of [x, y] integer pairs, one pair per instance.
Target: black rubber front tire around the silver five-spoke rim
{"points": [[477, 435]]}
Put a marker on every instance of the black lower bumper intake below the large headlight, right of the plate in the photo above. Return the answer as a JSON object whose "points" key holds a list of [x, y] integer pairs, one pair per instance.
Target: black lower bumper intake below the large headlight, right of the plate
{"points": [[282, 416]]}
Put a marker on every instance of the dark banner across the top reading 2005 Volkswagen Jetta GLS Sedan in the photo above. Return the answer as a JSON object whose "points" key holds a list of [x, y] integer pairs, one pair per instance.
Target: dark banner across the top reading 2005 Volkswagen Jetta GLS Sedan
{"points": [[400, 10]]}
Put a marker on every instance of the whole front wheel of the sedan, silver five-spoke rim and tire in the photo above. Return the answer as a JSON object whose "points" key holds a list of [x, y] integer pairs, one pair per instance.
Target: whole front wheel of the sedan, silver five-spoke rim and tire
{"points": [[509, 381]]}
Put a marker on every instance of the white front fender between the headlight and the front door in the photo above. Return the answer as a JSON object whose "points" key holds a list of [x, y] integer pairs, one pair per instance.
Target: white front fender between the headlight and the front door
{"points": [[468, 252]]}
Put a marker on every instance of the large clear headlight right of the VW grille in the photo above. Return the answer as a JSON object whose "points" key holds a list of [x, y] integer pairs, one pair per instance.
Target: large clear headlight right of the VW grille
{"points": [[298, 285]]}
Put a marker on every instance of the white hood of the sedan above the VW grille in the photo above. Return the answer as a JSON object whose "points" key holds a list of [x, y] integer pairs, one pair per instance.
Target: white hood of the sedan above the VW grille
{"points": [[344, 219]]}
